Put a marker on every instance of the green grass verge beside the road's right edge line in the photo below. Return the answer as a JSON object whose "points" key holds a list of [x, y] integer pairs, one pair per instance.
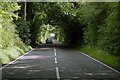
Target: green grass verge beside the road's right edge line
{"points": [[105, 57]]}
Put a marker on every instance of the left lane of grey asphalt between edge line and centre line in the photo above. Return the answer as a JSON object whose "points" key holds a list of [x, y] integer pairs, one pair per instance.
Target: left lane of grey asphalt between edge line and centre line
{"points": [[37, 64]]}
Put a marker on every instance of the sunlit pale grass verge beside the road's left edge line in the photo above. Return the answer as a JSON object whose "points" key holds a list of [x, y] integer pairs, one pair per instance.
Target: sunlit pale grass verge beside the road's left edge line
{"points": [[11, 53]]}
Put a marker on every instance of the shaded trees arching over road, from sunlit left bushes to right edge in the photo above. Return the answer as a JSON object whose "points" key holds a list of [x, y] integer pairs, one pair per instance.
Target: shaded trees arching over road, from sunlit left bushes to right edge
{"points": [[72, 22]]}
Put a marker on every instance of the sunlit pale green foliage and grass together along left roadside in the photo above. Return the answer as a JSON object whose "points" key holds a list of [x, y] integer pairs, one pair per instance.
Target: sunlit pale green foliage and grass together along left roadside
{"points": [[11, 46]]}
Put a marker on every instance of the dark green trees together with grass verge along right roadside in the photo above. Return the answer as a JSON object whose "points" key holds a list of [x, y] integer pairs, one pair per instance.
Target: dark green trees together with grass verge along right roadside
{"points": [[101, 33]]}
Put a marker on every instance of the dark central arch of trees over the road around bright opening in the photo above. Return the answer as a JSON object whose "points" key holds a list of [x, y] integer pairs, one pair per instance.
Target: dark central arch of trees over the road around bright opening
{"points": [[57, 18]]}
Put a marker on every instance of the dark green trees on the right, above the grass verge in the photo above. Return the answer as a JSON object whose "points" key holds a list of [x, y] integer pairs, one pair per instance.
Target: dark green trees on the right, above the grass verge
{"points": [[102, 26]]}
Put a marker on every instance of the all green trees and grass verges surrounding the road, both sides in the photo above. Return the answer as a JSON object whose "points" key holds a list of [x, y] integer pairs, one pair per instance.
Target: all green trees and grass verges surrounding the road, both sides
{"points": [[81, 23]]}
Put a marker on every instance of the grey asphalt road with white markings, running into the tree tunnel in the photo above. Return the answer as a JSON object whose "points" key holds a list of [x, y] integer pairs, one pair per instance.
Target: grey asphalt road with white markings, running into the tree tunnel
{"points": [[56, 62]]}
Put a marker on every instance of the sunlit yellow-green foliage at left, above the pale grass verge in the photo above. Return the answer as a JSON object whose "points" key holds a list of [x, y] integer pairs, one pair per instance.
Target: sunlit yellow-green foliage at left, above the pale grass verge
{"points": [[7, 26]]}
